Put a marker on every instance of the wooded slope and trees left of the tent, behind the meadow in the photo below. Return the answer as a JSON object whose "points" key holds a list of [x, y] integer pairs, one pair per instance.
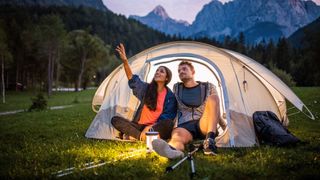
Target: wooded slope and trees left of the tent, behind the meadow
{"points": [[48, 47]]}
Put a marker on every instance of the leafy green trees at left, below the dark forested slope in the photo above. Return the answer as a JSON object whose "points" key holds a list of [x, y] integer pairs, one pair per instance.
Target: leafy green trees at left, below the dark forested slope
{"points": [[48, 55]]}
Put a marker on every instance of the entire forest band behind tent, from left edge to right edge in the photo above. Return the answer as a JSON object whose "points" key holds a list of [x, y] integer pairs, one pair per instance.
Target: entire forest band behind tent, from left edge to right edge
{"points": [[47, 47]]}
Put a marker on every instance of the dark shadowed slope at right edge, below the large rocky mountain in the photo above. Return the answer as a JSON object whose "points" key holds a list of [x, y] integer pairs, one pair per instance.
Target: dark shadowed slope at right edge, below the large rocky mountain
{"points": [[301, 38]]}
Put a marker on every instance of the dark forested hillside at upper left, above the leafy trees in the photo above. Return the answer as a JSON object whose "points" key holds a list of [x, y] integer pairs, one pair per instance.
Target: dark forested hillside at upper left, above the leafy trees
{"points": [[108, 26]]}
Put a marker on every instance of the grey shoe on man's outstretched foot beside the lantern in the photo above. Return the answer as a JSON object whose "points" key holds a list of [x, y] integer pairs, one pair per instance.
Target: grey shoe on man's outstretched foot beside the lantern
{"points": [[163, 149]]}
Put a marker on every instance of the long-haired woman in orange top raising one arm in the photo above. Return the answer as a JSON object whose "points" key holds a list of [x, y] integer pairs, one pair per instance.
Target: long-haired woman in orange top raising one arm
{"points": [[158, 105]]}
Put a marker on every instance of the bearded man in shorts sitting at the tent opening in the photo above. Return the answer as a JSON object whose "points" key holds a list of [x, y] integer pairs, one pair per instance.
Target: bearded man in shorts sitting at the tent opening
{"points": [[198, 115]]}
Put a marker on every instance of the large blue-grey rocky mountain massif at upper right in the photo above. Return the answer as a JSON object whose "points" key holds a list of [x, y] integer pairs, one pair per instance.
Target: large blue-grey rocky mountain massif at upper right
{"points": [[258, 19]]}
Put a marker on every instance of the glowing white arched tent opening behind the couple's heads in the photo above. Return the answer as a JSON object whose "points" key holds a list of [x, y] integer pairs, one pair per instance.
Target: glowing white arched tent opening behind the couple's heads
{"points": [[203, 72]]}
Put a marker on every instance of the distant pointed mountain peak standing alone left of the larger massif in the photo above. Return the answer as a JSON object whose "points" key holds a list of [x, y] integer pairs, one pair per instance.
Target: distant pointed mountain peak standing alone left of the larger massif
{"points": [[158, 19]]}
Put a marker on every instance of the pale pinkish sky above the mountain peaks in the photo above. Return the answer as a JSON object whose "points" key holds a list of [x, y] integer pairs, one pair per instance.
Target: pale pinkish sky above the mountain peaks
{"points": [[176, 9]]}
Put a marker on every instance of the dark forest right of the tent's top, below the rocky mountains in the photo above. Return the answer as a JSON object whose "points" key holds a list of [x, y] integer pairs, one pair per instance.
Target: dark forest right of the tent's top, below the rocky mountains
{"points": [[294, 66]]}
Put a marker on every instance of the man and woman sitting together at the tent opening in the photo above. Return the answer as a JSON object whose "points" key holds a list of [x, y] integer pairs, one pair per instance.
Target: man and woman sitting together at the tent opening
{"points": [[196, 103]]}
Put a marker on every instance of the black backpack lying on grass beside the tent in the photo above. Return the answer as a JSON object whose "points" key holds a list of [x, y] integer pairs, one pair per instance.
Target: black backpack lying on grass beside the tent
{"points": [[270, 130]]}
